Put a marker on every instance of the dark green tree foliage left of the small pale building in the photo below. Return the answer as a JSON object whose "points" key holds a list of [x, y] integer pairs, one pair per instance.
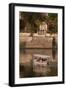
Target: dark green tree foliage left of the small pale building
{"points": [[34, 19]]}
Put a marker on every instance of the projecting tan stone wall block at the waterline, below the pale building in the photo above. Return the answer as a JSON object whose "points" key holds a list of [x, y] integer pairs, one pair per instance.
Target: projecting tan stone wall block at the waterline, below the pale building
{"points": [[39, 42]]}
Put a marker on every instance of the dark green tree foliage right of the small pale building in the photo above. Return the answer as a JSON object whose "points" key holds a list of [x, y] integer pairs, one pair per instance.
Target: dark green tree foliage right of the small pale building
{"points": [[52, 23]]}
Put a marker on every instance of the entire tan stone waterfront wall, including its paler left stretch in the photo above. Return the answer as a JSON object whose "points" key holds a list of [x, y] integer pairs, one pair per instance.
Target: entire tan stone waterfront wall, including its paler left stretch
{"points": [[36, 41]]}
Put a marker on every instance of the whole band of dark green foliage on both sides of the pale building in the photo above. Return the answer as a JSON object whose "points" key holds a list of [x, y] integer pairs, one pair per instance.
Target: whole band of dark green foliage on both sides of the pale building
{"points": [[35, 19]]}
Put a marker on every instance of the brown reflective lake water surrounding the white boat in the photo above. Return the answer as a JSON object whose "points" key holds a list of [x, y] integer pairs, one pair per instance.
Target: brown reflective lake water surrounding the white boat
{"points": [[28, 67]]}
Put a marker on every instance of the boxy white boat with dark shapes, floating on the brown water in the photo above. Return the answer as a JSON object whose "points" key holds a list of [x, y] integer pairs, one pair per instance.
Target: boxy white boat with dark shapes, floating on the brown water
{"points": [[41, 60]]}
